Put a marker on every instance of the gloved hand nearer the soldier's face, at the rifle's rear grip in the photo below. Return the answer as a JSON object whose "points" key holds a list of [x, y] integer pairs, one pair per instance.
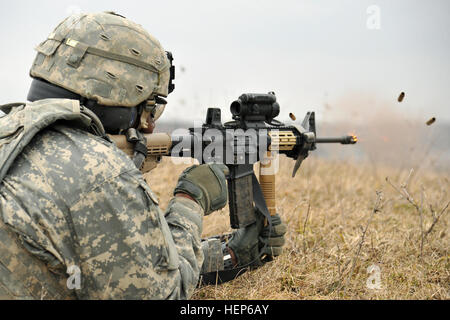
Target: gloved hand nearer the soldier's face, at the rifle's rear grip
{"points": [[206, 184]]}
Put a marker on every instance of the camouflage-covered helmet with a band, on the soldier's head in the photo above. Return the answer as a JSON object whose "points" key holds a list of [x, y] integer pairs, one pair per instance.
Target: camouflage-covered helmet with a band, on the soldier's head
{"points": [[104, 57]]}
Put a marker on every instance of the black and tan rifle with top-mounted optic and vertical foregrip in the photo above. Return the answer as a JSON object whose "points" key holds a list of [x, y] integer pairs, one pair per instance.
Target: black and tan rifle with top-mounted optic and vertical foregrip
{"points": [[254, 135]]}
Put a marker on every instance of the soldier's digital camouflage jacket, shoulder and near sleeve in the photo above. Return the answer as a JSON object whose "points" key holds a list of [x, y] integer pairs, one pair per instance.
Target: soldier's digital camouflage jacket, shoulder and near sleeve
{"points": [[74, 199]]}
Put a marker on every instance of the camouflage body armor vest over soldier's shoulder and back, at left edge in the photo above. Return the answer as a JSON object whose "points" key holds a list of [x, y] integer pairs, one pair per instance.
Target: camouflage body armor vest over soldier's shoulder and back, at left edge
{"points": [[23, 275]]}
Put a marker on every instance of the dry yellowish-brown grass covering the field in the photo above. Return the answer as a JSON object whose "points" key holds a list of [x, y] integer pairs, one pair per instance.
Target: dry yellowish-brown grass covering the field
{"points": [[330, 248]]}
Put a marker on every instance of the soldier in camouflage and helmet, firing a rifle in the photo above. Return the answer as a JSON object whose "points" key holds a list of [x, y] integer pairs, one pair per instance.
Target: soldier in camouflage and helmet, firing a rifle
{"points": [[75, 211]]}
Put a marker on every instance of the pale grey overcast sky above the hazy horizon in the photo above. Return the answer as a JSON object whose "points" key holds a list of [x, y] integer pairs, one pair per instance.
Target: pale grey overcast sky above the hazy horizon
{"points": [[311, 53]]}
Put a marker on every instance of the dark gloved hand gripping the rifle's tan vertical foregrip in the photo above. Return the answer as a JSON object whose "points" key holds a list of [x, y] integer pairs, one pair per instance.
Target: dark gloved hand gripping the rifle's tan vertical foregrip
{"points": [[254, 245]]}
